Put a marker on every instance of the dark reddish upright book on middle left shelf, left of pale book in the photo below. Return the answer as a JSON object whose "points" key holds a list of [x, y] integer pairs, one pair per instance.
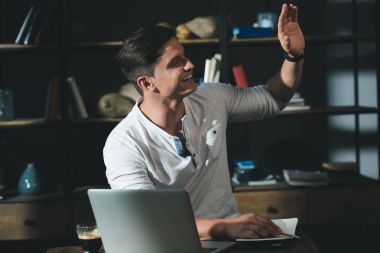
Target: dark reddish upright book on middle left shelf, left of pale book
{"points": [[52, 99]]}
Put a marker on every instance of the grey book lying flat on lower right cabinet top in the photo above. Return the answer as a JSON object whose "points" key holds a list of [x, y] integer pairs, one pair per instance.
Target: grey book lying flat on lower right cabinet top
{"points": [[305, 178]]}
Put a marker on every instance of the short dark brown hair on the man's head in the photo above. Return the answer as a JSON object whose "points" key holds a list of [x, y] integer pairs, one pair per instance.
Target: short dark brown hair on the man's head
{"points": [[142, 50]]}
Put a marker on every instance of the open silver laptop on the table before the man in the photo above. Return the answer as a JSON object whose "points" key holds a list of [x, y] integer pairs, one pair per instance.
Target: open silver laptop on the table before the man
{"points": [[148, 221]]}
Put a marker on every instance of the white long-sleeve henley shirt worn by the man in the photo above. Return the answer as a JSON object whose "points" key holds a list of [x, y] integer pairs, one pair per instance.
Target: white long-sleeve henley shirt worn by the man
{"points": [[140, 155]]}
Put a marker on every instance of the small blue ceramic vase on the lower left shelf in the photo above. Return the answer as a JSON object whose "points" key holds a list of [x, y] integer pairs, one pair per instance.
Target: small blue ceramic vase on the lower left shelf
{"points": [[29, 182]]}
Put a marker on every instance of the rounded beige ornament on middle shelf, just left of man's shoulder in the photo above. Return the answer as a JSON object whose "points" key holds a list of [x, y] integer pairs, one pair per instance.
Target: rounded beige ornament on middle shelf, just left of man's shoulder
{"points": [[114, 105]]}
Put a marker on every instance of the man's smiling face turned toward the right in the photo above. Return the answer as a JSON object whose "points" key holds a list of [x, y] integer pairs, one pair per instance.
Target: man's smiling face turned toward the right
{"points": [[174, 72]]}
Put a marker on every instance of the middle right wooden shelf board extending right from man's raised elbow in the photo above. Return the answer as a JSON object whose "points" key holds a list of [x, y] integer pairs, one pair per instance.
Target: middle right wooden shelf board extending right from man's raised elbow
{"points": [[341, 110]]}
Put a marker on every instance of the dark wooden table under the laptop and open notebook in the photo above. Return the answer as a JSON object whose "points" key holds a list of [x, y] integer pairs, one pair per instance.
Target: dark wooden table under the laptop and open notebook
{"points": [[302, 245]]}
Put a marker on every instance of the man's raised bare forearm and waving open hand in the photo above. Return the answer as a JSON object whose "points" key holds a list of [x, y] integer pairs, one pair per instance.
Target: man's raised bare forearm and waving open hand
{"points": [[285, 82]]}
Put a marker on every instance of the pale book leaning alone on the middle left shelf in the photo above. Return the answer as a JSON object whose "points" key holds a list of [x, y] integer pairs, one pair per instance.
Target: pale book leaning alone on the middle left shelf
{"points": [[76, 100]]}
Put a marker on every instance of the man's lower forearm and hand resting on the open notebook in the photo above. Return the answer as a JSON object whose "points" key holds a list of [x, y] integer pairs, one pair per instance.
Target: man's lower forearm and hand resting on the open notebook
{"points": [[244, 226]]}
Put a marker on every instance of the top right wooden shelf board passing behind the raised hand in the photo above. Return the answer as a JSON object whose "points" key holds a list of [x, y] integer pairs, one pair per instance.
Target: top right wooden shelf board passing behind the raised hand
{"points": [[309, 39]]}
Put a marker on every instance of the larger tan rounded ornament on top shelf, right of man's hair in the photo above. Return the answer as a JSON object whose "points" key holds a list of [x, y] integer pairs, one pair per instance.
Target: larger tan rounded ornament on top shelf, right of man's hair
{"points": [[204, 27]]}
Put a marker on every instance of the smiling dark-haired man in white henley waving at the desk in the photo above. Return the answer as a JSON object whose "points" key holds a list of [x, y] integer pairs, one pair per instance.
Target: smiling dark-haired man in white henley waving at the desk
{"points": [[175, 135]]}
